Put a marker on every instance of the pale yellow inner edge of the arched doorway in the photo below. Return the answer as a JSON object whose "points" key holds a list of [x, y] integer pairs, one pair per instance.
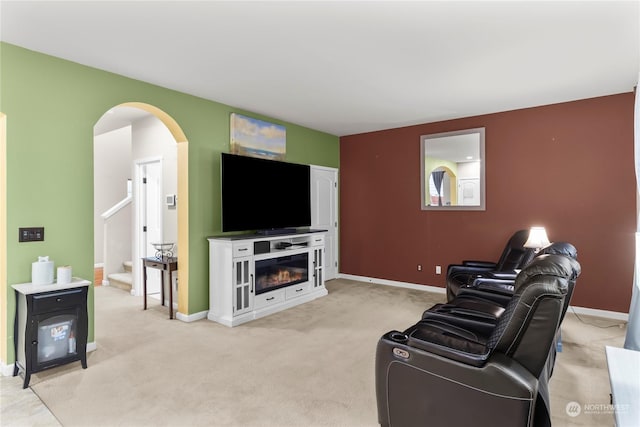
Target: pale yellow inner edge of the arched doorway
{"points": [[182, 196]]}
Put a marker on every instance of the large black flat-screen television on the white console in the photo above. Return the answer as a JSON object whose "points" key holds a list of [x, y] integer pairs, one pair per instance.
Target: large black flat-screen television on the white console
{"points": [[260, 194]]}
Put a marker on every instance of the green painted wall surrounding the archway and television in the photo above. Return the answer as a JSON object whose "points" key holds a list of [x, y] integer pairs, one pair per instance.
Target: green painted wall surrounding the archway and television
{"points": [[51, 107]]}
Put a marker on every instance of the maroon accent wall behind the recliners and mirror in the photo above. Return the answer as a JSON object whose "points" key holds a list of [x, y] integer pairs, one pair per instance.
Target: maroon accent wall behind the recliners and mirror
{"points": [[568, 167]]}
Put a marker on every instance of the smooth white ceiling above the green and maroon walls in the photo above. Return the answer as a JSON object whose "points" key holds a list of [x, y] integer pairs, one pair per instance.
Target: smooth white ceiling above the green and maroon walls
{"points": [[347, 67]]}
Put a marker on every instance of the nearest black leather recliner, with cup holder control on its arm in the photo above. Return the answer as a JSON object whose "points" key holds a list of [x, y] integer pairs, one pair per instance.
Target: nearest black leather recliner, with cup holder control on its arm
{"points": [[438, 373]]}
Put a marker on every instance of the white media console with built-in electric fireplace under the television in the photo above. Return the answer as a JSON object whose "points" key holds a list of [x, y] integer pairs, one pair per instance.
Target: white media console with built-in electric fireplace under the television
{"points": [[252, 276]]}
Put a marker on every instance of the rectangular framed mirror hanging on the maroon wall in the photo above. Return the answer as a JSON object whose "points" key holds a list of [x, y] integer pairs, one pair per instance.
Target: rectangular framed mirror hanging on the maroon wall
{"points": [[452, 170]]}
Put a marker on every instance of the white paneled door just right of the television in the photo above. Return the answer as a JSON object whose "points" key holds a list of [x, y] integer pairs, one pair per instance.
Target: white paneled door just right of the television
{"points": [[324, 213]]}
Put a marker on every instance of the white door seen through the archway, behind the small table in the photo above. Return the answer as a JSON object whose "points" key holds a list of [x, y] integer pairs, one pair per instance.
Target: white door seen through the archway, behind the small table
{"points": [[151, 204]]}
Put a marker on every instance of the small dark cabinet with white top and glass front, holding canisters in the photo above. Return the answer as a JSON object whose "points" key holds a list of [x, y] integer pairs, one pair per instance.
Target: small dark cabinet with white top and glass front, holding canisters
{"points": [[51, 326]]}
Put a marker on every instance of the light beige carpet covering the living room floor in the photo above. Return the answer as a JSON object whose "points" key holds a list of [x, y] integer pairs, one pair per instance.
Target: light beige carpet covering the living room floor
{"points": [[312, 365]]}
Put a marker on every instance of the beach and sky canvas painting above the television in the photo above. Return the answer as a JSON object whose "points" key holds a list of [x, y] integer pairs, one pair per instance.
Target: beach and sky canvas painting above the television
{"points": [[257, 138]]}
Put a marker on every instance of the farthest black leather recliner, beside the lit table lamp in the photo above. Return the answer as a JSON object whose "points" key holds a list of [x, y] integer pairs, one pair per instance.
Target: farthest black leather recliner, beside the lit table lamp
{"points": [[514, 256]]}
